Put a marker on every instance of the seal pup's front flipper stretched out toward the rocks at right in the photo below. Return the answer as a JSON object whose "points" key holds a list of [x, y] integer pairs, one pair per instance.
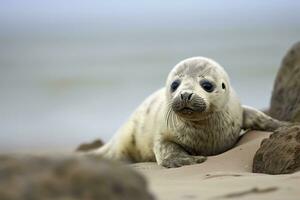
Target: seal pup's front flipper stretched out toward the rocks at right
{"points": [[256, 120]]}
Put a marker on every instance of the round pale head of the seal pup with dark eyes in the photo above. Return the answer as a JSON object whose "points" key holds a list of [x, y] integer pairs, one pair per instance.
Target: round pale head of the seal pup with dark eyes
{"points": [[197, 87]]}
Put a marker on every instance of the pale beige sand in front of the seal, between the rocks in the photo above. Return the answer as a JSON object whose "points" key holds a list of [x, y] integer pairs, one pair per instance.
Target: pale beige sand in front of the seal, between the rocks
{"points": [[225, 176]]}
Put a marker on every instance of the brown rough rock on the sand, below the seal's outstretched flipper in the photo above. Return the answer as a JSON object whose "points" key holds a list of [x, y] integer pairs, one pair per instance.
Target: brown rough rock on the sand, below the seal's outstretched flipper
{"points": [[279, 154]]}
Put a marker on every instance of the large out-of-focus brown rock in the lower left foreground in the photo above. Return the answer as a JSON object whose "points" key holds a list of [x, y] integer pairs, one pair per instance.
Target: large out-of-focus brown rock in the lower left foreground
{"points": [[39, 178]]}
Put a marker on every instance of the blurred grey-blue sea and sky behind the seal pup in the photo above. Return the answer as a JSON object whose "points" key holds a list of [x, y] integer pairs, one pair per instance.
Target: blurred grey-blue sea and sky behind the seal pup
{"points": [[72, 71]]}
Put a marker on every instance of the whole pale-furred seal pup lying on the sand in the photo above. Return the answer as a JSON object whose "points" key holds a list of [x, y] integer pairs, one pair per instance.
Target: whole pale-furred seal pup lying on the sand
{"points": [[197, 114]]}
